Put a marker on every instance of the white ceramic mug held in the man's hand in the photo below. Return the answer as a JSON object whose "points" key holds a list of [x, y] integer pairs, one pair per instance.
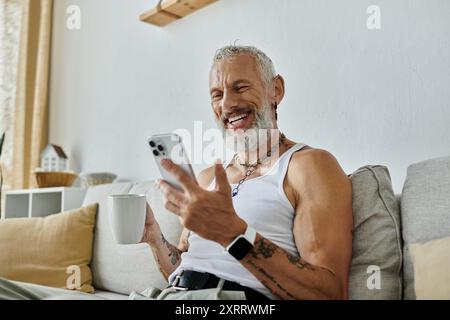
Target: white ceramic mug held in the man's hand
{"points": [[127, 217]]}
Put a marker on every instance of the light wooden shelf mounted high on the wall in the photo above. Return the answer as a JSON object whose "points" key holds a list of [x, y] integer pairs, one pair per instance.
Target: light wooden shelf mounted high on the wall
{"points": [[172, 10]]}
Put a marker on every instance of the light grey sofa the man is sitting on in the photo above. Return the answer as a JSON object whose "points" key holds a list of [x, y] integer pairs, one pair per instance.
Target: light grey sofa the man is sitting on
{"points": [[384, 226]]}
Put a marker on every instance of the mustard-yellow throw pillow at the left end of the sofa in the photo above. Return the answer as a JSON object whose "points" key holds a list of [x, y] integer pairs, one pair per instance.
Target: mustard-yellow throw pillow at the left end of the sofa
{"points": [[54, 251]]}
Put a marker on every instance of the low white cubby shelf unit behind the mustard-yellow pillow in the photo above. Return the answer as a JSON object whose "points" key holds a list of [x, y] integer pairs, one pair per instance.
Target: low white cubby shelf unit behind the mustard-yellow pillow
{"points": [[35, 203]]}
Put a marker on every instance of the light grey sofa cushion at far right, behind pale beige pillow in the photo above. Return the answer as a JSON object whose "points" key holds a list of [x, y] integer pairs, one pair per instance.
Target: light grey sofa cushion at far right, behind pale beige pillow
{"points": [[425, 209]]}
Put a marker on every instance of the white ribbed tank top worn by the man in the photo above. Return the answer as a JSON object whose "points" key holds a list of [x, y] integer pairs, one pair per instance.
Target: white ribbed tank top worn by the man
{"points": [[262, 204]]}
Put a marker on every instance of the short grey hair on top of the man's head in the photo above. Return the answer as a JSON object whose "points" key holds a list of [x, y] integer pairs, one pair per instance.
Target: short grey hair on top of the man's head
{"points": [[264, 63]]}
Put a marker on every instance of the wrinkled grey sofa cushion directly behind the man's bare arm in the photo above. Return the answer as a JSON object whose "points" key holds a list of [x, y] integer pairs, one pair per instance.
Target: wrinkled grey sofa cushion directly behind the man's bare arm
{"points": [[377, 253]]}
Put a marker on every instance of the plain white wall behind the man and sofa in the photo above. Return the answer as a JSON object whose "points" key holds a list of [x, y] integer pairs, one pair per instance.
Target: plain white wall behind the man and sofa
{"points": [[369, 97]]}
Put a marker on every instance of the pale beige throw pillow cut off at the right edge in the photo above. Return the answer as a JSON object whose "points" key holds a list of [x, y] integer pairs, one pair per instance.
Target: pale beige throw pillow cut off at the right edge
{"points": [[431, 261]]}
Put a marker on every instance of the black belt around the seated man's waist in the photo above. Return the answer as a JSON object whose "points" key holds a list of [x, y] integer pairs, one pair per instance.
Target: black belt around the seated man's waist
{"points": [[193, 280]]}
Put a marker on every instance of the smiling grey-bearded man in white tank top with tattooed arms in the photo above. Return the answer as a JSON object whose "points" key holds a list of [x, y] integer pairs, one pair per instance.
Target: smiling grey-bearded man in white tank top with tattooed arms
{"points": [[265, 225]]}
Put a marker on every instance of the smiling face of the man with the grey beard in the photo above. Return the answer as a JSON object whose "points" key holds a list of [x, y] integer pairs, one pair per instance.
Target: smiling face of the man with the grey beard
{"points": [[239, 94]]}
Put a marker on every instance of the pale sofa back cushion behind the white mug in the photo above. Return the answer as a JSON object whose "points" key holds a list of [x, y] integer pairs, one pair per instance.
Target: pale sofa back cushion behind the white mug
{"points": [[126, 268]]}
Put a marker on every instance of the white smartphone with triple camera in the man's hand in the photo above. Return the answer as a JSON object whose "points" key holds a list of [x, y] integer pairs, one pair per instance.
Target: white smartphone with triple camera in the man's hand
{"points": [[170, 146]]}
